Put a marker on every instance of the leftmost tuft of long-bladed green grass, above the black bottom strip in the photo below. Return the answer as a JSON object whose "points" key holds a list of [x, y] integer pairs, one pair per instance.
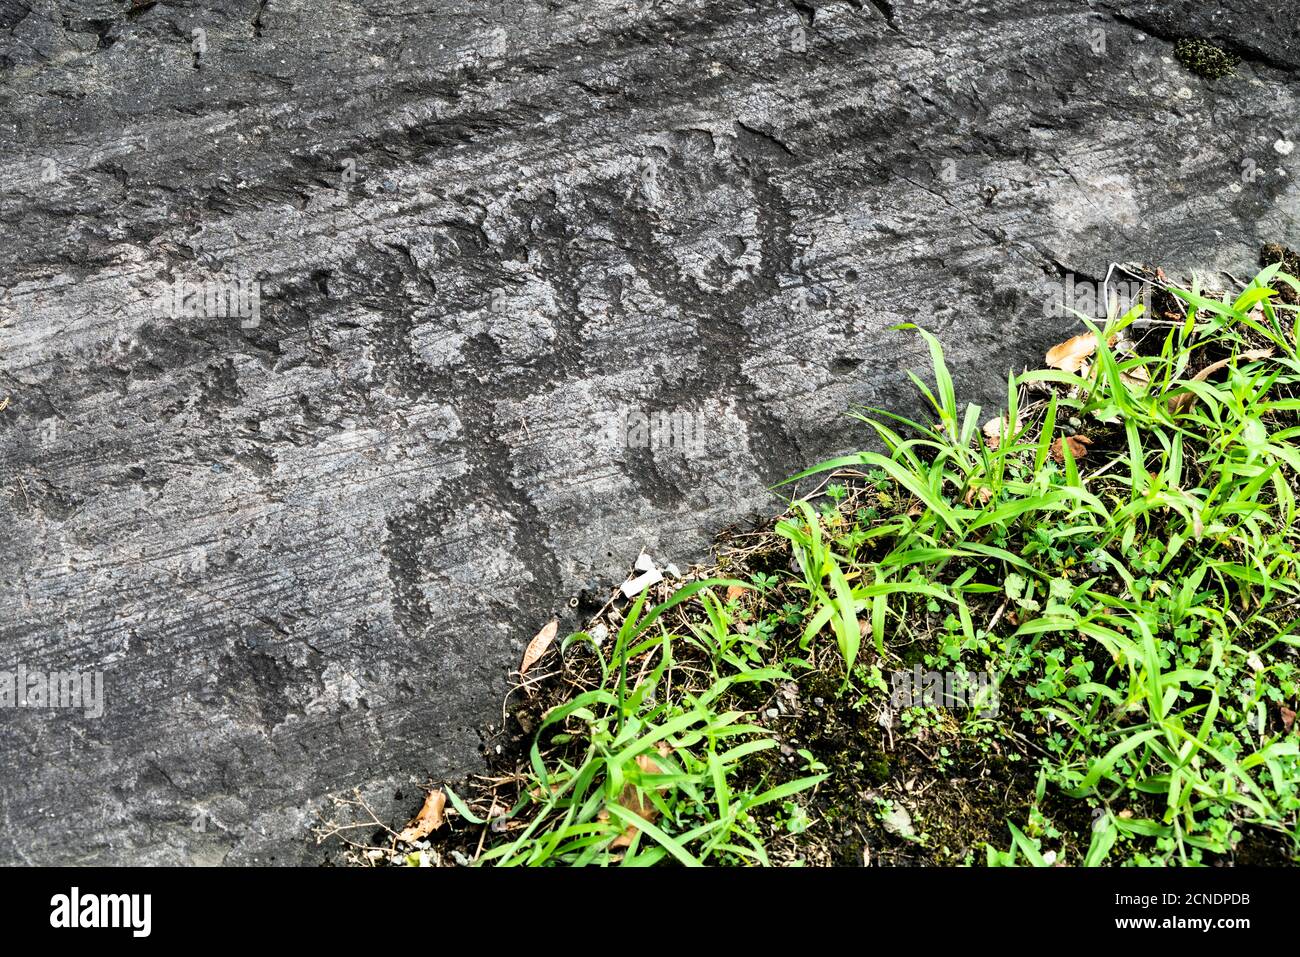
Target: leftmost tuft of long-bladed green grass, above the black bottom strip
{"points": [[635, 754]]}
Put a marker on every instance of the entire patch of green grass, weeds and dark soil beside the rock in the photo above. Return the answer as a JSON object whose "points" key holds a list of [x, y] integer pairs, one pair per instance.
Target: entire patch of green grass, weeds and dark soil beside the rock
{"points": [[1117, 547]]}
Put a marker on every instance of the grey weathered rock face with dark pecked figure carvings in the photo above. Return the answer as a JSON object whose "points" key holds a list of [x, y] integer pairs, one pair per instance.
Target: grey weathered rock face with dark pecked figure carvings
{"points": [[514, 289]]}
